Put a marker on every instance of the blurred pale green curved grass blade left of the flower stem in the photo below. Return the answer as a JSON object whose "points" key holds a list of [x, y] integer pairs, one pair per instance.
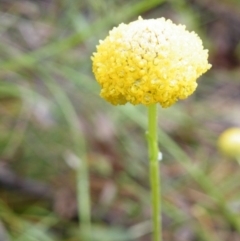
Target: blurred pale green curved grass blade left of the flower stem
{"points": [[83, 189]]}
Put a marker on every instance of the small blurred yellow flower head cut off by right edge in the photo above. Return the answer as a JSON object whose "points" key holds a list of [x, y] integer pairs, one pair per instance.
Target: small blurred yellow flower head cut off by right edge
{"points": [[229, 142]]}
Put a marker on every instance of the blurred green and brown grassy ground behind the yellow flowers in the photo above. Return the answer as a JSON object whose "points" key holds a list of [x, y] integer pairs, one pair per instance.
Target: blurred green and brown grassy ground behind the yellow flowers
{"points": [[52, 118]]}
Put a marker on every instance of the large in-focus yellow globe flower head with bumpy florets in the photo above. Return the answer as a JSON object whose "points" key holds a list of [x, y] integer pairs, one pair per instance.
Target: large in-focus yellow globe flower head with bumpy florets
{"points": [[149, 61]]}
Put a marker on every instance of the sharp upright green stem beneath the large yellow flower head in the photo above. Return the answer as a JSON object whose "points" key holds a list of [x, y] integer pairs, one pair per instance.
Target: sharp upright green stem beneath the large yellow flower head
{"points": [[154, 172]]}
